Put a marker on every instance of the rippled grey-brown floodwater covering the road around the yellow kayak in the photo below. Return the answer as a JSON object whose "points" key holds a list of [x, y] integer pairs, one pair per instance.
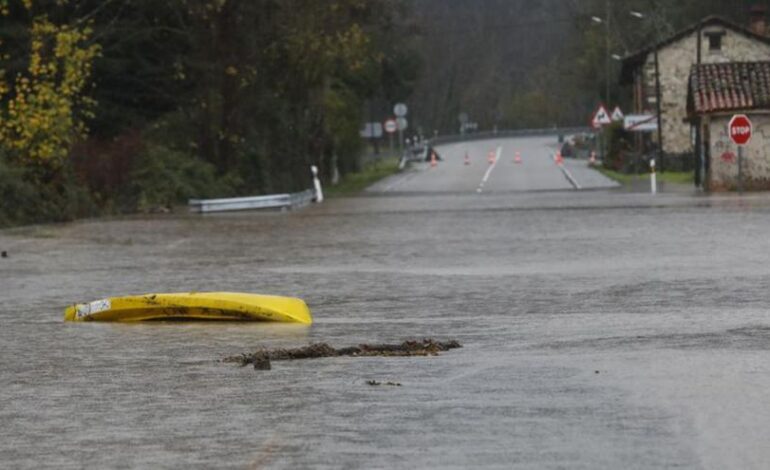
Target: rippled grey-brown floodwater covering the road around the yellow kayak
{"points": [[601, 329]]}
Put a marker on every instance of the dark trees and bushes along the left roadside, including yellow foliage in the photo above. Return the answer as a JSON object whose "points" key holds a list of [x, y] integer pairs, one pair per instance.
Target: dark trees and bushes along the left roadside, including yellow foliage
{"points": [[111, 106]]}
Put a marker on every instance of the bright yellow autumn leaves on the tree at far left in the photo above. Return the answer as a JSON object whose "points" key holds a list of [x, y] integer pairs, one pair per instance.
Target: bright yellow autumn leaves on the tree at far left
{"points": [[42, 110]]}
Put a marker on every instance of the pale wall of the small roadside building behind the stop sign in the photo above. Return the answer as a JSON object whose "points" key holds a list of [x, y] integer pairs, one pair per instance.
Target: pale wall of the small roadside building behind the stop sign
{"points": [[723, 171]]}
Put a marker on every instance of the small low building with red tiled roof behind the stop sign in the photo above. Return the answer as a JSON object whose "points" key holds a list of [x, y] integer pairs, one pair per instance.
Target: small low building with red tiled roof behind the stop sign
{"points": [[716, 92]]}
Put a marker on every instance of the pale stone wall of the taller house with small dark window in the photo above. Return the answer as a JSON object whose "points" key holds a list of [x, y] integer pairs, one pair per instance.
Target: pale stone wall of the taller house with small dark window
{"points": [[675, 62]]}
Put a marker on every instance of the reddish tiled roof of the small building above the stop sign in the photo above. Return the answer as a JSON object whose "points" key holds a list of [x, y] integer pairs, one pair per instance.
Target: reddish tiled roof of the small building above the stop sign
{"points": [[728, 87]]}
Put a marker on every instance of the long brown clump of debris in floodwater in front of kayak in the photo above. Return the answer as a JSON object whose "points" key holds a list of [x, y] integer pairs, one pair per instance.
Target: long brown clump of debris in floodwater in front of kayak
{"points": [[261, 358]]}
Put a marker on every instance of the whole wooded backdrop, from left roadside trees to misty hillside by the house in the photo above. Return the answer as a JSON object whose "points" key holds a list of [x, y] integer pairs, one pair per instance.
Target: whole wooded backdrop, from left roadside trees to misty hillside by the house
{"points": [[111, 106]]}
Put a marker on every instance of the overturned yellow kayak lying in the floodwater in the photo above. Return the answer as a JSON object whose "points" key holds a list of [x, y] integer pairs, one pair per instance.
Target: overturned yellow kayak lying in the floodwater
{"points": [[192, 306]]}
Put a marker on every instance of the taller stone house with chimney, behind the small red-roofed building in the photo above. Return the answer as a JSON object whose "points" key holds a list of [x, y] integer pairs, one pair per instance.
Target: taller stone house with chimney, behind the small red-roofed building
{"points": [[720, 41]]}
